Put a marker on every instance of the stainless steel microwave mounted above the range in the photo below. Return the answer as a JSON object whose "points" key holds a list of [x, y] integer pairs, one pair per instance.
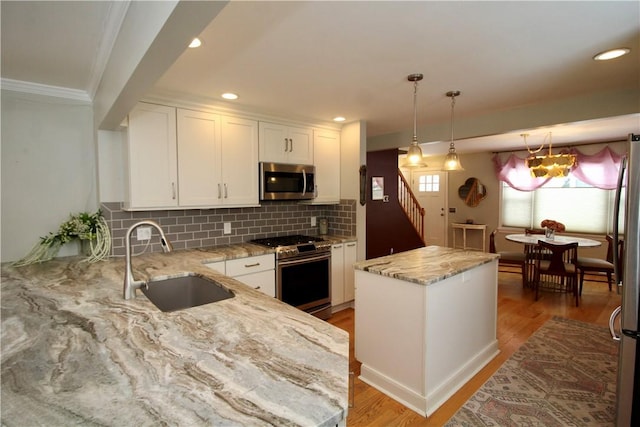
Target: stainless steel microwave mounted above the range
{"points": [[280, 181]]}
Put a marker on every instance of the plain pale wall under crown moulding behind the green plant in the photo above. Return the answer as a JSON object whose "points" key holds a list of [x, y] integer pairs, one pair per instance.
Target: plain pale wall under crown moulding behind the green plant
{"points": [[48, 168]]}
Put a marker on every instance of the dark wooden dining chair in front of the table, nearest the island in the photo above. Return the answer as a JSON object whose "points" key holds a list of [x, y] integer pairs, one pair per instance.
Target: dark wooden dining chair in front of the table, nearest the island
{"points": [[555, 268]]}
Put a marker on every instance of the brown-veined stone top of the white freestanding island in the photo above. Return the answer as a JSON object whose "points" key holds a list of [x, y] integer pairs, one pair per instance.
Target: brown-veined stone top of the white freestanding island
{"points": [[426, 265]]}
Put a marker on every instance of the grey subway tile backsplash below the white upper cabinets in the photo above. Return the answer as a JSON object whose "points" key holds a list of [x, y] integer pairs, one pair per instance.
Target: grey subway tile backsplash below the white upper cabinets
{"points": [[195, 228]]}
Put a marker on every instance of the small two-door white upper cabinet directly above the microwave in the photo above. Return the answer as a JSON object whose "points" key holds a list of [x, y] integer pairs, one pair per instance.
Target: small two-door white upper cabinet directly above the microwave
{"points": [[285, 144]]}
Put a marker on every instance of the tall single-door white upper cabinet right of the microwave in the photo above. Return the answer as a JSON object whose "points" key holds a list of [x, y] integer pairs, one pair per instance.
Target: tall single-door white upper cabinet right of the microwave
{"points": [[326, 155]]}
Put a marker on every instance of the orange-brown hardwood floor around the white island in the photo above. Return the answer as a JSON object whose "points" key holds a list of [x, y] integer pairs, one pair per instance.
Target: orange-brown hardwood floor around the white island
{"points": [[518, 317]]}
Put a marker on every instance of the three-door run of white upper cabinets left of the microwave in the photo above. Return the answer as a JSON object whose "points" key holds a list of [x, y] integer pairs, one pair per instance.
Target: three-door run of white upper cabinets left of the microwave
{"points": [[182, 158]]}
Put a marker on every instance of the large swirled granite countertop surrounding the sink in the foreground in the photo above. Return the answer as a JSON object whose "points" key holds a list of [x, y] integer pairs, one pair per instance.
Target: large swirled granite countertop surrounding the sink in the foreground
{"points": [[75, 352]]}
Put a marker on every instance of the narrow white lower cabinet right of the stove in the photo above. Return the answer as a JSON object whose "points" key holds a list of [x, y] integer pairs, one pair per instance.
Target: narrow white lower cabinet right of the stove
{"points": [[343, 256]]}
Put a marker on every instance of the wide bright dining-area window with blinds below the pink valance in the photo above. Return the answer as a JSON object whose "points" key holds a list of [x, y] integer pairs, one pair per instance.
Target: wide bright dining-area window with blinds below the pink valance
{"points": [[579, 206]]}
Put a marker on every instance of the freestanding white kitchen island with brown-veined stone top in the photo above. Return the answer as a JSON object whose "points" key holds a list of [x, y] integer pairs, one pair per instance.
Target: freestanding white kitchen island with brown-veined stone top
{"points": [[425, 322]]}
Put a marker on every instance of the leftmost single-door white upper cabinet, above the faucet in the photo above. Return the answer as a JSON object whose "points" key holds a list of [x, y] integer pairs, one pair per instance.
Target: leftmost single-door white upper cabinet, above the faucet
{"points": [[151, 163]]}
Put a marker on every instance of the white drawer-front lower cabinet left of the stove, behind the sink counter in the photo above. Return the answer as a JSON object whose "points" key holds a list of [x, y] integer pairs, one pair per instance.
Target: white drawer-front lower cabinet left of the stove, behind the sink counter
{"points": [[257, 271]]}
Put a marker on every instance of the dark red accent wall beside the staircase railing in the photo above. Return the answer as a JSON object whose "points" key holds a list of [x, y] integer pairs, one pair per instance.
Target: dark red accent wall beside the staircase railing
{"points": [[387, 225]]}
